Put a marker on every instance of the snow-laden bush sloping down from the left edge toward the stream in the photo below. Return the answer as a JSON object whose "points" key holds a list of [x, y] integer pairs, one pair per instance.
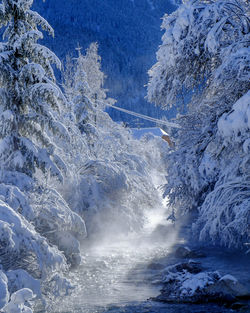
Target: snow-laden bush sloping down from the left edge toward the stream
{"points": [[23, 247]]}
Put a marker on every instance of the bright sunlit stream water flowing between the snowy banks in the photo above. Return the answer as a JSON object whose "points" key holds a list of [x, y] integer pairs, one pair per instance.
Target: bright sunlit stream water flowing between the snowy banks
{"points": [[120, 275]]}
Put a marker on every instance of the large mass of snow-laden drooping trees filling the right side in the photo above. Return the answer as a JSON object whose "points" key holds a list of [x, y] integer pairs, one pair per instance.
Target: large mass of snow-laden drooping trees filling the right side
{"points": [[205, 53]]}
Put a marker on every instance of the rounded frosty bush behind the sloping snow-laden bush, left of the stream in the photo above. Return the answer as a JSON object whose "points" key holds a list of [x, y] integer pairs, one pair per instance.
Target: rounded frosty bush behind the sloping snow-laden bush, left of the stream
{"points": [[59, 224]]}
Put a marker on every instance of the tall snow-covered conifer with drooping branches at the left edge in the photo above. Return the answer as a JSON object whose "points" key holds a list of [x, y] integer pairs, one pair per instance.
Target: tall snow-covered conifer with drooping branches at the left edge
{"points": [[29, 95]]}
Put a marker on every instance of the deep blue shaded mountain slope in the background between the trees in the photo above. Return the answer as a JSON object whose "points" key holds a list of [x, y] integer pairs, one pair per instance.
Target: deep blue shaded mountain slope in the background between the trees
{"points": [[128, 33]]}
